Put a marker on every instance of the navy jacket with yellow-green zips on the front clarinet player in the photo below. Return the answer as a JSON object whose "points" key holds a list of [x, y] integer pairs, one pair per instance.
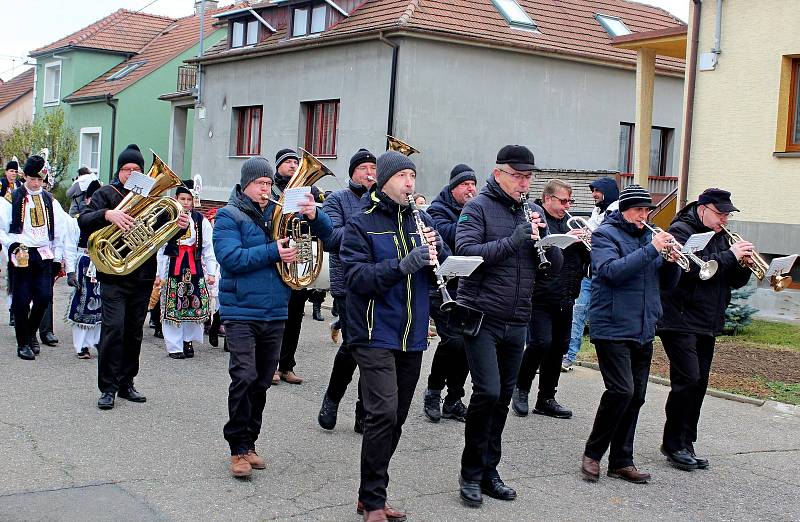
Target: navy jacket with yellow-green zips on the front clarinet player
{"points": [[385, 309]]}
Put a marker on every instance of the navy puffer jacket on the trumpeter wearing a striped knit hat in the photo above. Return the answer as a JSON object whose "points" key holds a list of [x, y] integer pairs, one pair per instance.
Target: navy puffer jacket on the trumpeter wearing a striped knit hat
{"points": [[628, 275]]}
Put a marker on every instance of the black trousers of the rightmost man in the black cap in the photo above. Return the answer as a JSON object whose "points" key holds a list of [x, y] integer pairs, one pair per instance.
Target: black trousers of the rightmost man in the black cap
{"points": [[690, 358]]}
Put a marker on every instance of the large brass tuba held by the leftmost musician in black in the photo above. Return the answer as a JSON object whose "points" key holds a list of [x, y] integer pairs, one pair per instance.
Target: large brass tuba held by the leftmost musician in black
{"points": [[117, 252]]}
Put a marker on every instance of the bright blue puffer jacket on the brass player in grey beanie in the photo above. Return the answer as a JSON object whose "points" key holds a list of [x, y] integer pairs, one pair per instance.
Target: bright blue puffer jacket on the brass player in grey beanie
{"points": [[250, 288]]}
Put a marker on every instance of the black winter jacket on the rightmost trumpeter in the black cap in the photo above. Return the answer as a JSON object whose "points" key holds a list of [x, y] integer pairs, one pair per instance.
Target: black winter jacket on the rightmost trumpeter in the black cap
{"points": [[698, 306]]}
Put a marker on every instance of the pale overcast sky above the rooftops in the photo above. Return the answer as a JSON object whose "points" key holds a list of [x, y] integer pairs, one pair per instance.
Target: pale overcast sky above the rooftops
{"points": [[31, 24]]}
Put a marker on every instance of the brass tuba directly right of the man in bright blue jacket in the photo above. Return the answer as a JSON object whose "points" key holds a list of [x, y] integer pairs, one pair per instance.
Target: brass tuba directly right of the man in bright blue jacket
{"points": [[301, 273]]}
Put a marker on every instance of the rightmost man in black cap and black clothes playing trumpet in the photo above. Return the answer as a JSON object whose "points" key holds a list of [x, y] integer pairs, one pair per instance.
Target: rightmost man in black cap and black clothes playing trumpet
{"points": [[694, 314]]}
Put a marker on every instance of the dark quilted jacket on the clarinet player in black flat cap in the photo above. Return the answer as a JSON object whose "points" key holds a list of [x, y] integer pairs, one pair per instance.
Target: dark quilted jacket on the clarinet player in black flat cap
{"points": [[501, 287]]}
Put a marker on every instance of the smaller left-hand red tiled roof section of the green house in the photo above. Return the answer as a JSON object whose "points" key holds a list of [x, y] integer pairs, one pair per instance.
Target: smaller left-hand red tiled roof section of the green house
{"points": [[122, 31]]}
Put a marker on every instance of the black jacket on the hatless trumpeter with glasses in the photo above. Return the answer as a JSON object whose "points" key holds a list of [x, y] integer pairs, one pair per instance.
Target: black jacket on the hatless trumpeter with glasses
{"points": [[561, 288]]}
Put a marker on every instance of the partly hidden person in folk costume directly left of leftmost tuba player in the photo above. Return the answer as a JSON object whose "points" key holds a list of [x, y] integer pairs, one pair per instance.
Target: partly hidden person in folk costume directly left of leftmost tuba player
{"points": [[83, 310]]}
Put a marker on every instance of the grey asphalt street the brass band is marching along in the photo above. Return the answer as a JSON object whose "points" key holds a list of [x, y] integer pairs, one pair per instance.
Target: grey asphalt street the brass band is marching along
{"points": [[63, 459]]}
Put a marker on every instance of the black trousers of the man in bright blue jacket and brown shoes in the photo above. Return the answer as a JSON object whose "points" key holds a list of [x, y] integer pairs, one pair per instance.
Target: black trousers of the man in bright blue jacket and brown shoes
{"points": [[255, 348]]}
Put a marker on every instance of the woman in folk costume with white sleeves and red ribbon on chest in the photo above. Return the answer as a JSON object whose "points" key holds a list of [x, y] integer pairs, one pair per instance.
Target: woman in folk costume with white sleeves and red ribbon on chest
{"points": [[185, 295]]}
